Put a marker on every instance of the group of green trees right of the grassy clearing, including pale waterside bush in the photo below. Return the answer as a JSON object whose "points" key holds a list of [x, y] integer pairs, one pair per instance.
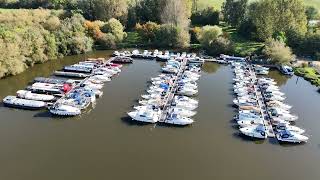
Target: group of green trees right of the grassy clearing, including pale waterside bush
{"points": [[282, 25]]}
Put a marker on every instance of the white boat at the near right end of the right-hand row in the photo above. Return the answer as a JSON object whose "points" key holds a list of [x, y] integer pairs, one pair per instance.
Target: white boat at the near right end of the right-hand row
{"points": [[288, 136]]}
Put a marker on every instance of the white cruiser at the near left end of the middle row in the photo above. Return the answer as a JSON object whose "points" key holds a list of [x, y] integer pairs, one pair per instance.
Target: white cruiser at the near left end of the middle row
{"points": [[145, 115]]}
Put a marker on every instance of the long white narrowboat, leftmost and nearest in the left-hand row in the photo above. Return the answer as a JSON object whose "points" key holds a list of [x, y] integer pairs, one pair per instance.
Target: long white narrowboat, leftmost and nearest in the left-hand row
{"points": [[12, 101]]}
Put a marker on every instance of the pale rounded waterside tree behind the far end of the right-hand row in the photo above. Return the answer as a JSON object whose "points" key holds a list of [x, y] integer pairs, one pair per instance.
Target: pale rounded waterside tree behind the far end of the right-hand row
{"points": [[278, 52]]}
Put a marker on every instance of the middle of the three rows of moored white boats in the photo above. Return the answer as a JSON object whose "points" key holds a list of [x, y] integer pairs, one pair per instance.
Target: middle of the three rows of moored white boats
{"points": [[169, 96]]}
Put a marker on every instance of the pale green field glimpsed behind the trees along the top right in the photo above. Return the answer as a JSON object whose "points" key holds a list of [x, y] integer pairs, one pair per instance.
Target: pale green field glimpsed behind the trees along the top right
{"points": [[217, 3]]}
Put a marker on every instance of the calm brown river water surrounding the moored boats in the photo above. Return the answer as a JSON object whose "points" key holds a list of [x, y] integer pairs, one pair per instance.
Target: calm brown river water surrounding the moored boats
{"points": [[103, 144]]}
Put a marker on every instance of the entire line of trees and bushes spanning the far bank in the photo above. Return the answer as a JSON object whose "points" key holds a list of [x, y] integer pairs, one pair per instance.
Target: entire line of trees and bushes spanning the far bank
{"points": [[28, 37]]}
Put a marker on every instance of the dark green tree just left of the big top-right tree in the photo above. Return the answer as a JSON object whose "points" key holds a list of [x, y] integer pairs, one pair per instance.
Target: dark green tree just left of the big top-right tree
{"points": [[234, 11]]}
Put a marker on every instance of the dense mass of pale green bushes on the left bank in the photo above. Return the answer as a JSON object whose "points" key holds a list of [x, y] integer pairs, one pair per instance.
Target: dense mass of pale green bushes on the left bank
{"points": [[28, 37]]}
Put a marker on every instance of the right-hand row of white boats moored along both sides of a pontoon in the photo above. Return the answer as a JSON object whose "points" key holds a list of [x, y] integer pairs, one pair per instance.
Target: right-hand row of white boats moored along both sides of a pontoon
{"points": [[261, 106]]}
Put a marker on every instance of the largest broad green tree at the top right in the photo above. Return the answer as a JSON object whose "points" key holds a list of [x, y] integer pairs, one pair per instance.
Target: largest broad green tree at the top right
{"points": [[275, 16]]}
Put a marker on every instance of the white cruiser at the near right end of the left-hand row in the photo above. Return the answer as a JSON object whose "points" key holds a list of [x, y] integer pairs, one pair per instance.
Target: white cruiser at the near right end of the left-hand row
{"points": [[64, 110]]}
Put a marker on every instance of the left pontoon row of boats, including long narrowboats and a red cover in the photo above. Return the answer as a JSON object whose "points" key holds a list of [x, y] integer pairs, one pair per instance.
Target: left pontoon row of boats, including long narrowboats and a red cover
{"points": [[64, 96]]}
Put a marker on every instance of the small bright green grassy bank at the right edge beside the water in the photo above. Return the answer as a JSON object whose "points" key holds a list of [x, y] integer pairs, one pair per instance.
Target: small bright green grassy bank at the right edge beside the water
{"points": [[310, 74]]}
